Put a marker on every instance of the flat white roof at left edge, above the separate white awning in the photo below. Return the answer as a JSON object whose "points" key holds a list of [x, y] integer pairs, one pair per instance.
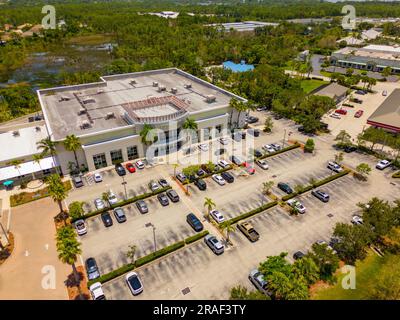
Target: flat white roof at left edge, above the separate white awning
{"points": [[21, 143]]}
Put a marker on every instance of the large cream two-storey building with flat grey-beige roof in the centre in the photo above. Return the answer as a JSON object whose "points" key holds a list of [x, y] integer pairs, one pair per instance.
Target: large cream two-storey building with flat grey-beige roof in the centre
{"points": [[108, 116]]}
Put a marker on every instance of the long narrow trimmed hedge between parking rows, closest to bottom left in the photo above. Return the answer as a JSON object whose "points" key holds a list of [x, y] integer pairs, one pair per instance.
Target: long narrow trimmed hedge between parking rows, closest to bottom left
{"points": [[147, 259]]}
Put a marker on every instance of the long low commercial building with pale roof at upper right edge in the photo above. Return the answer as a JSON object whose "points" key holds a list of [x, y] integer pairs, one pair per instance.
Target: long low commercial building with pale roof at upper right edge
{"points": [[371, 58]]}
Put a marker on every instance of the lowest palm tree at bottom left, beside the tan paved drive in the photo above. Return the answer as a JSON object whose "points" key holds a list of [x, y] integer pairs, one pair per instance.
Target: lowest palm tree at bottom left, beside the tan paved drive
{"points": [[68, 249]]}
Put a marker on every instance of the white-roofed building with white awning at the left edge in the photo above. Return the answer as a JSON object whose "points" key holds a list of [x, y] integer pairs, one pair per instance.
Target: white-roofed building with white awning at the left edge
{"points": [[21, 144]]}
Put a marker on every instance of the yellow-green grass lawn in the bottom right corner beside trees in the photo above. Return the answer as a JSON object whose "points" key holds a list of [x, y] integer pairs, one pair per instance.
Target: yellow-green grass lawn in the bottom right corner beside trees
{"points": [[366, 274]]}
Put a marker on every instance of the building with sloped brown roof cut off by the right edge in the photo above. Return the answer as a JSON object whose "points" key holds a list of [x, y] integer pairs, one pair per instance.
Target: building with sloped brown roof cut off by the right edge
{"points": [[387, 116]]}
